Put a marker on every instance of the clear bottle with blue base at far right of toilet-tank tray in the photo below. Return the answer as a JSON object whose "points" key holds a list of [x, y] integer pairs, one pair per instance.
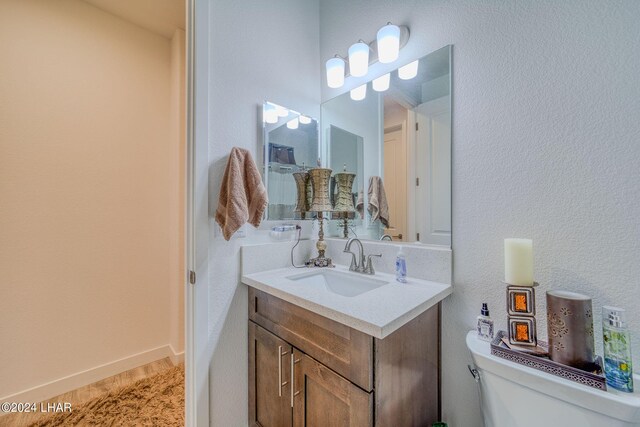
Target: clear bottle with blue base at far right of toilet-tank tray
{"points": [[617, 349]]}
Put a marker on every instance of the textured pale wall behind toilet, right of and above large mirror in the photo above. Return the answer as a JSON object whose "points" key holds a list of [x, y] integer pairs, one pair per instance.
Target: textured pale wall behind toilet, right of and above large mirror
{"points": [[545, 145]]}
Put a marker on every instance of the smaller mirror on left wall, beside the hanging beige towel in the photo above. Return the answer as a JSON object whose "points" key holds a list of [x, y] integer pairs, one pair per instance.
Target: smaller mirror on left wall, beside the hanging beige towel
{"points": [[290, 145]]}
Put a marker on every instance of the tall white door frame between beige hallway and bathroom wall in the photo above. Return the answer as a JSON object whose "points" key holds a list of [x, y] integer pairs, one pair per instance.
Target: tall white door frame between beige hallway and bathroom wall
{"points": [[197, 226]]}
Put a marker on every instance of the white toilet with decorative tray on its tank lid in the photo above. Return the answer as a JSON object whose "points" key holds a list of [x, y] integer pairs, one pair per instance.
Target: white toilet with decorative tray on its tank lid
{"points": [[513, 395]]}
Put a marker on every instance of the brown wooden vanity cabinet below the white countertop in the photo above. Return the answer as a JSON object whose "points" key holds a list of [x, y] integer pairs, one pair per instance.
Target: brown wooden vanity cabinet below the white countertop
{"points": [[308, 370]]}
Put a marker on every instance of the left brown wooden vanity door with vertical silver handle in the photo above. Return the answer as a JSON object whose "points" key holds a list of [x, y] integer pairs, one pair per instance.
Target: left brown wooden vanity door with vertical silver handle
{"points": [[270, 364]]}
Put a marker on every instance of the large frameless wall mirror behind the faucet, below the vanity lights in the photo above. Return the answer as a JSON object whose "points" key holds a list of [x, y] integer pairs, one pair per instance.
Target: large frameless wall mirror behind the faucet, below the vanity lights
{"points": [[400, 133]]}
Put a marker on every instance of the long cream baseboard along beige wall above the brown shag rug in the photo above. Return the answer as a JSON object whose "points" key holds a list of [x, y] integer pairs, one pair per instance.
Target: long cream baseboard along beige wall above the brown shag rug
{"points": [[71, 382]]}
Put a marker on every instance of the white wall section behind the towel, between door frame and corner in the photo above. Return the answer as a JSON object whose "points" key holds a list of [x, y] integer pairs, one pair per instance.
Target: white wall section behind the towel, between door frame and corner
{"points": [[258, 51]]}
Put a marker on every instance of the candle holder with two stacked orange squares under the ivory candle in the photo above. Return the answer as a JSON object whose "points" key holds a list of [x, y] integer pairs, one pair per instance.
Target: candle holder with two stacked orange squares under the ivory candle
{"points": [[521, 315]]}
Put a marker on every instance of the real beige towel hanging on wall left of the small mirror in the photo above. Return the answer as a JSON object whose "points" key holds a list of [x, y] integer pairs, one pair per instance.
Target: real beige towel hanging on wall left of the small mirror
{"points": [[243, 197]]}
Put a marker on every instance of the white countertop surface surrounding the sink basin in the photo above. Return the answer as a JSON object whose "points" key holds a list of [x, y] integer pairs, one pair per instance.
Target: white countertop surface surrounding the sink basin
{"points": [[377, 312]]}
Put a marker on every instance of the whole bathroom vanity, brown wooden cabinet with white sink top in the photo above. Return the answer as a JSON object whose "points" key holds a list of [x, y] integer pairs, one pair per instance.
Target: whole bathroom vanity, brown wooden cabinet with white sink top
{"points": [[329, 347]]}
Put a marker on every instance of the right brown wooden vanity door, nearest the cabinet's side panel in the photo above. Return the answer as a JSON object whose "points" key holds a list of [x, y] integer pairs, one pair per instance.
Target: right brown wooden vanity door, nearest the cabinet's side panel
{"points": [[323, 398]]}
